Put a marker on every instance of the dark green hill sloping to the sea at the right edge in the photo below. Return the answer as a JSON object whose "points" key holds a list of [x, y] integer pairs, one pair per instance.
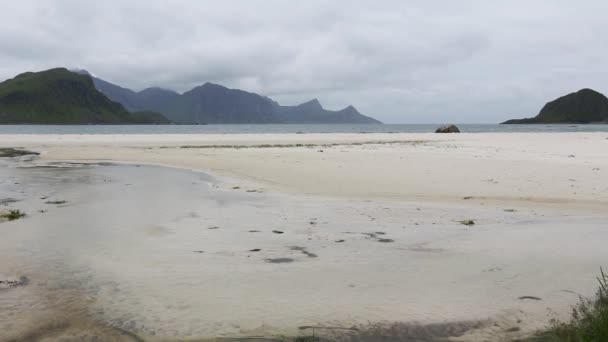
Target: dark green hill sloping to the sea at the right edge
{"points": [[584, 106]]}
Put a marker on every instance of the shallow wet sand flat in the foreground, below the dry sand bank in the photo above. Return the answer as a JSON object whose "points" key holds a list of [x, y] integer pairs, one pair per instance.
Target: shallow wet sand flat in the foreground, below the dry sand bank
{"points": [[130, 252]]}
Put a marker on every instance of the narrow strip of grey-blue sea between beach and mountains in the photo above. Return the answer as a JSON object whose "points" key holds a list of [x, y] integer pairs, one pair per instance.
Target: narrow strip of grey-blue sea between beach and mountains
{"points": [[260, 129]]}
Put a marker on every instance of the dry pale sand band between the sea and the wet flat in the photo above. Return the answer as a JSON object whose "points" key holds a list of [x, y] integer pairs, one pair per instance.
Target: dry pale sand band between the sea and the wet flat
{"points": [[561, 168]]}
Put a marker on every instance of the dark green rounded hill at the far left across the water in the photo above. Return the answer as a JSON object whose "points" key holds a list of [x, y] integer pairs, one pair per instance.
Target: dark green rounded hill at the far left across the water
{"points": [[59, 96]]}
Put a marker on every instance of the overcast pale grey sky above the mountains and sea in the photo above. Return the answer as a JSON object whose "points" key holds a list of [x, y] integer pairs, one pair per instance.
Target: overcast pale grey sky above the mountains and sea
{"points": [[399, 61]]}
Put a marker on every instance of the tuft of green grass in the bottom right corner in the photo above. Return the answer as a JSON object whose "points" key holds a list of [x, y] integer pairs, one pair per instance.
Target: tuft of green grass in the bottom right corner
{"points": [[589, 322]]}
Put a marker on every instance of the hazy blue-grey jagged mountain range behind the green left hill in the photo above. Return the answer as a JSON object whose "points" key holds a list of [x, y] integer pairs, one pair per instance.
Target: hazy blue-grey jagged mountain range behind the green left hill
{"points": [[215, 104]]}
